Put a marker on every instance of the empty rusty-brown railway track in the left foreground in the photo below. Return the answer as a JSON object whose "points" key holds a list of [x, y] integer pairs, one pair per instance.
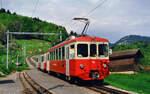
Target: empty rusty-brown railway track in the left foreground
{"points": [[30, 86]]}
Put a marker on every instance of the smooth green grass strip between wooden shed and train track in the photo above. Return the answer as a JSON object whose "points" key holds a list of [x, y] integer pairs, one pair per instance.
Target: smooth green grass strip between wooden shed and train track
{"points": [[139, 83]]}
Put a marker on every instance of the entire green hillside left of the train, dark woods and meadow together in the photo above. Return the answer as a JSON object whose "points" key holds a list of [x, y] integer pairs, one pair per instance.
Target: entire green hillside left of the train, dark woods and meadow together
{"points": [[35, 44]]}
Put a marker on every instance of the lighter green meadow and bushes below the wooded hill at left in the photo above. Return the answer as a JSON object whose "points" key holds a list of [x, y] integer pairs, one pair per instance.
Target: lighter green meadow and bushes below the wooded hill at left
{"points": [[32, 47]]}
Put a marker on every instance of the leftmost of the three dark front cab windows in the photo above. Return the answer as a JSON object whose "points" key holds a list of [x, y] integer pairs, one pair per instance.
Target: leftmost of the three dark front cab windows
{"points": [[82, 50]]}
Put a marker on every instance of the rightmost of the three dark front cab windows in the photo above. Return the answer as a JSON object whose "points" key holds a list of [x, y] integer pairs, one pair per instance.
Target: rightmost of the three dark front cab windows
{"points": [[103, 49]]}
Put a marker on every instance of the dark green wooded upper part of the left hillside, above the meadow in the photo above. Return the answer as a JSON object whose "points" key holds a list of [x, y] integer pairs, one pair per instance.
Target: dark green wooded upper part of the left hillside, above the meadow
{"points": [[17, 23]]}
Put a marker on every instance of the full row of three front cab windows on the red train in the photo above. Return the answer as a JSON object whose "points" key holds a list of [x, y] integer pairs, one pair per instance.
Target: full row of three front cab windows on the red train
{"points": [[95, 50]]}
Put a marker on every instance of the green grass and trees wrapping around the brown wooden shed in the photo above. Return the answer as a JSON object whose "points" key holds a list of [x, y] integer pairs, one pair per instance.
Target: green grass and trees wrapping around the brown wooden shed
{"points": [[140, 82]]}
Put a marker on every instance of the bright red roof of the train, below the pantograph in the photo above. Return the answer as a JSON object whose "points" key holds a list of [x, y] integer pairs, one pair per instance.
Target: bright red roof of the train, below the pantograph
{"points": [[83, 38]]}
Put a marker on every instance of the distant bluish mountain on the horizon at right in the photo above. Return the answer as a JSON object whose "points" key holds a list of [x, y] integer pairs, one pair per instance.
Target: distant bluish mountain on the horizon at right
{"points": [[132, 39]]}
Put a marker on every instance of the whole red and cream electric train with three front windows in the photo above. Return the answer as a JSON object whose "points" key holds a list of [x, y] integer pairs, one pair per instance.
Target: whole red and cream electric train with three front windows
{"points": [[83, 57]]}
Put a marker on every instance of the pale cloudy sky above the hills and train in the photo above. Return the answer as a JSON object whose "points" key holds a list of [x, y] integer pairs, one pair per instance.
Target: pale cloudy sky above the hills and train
{"points": [[113, 20]]}
